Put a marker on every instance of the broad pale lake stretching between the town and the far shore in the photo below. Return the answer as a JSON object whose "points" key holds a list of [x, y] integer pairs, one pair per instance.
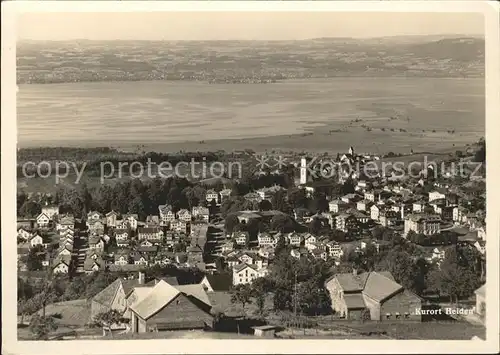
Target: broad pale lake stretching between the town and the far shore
{"points": [[151, 112]]}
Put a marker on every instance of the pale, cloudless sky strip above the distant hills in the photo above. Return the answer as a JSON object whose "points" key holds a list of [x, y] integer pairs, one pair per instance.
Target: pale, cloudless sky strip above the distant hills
{"points": [[240, 25]]}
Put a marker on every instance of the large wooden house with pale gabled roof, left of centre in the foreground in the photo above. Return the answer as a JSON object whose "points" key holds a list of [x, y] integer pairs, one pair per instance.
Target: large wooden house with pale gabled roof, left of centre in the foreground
{"points": [[165, 307]]}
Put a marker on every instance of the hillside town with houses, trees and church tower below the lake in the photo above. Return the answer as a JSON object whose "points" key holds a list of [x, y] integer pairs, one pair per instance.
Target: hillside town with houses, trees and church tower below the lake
{"points": [[275, 253]]}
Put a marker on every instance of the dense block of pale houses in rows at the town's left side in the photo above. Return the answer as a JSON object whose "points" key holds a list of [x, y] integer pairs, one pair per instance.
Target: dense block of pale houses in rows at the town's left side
{"points": [[113, 241]]}
